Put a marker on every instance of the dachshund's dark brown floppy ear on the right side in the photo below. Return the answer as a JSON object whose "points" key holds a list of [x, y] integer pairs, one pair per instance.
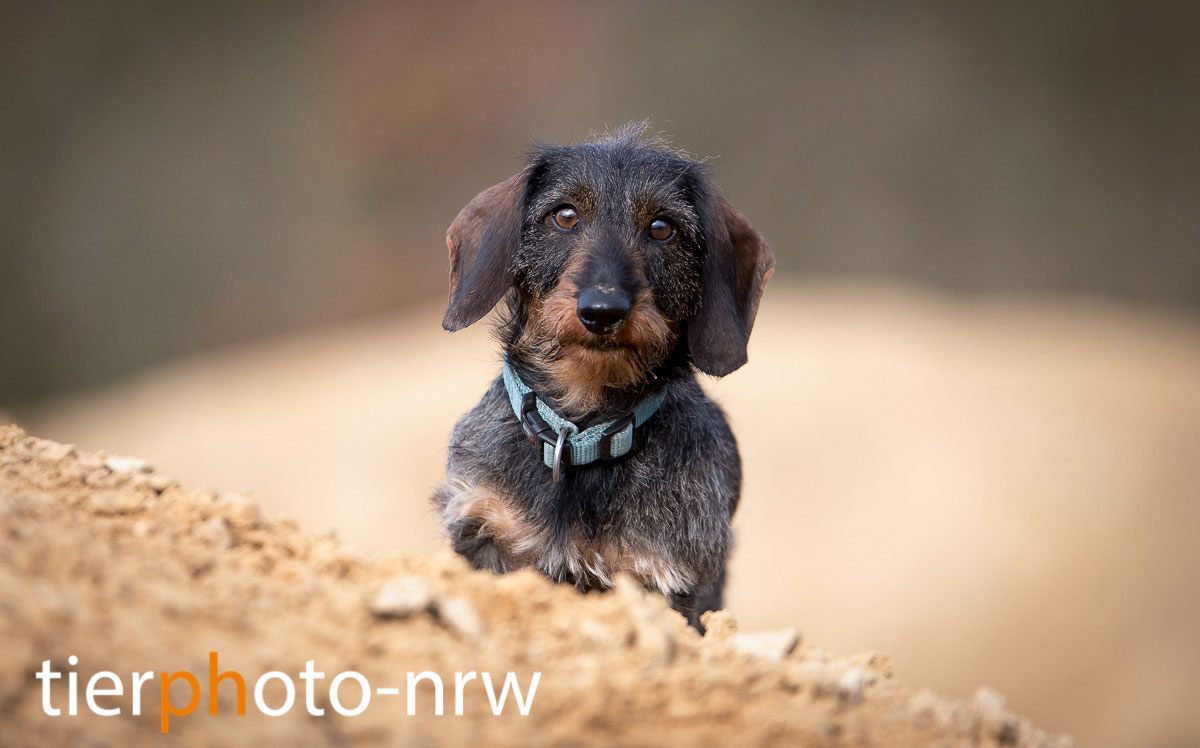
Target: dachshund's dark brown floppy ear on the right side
{"points": [[736, 271]]}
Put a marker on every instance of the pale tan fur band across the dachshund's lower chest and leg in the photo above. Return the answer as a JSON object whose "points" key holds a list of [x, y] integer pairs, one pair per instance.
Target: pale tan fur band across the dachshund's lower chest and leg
{"points": [[574, 558]]}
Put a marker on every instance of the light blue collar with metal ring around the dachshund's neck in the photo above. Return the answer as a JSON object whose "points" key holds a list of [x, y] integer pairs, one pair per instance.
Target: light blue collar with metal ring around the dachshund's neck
{"points": [[563, 442]]}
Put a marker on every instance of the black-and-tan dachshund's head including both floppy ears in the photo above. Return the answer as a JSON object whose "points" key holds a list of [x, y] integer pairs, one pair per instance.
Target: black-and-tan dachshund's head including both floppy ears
{"points": [[621, 250]]}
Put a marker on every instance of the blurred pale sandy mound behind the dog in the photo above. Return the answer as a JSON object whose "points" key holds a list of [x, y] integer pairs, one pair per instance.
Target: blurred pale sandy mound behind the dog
{"points": [[989, 490]]}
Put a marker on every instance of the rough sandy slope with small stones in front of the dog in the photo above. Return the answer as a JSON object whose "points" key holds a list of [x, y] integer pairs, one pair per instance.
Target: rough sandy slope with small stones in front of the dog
{"points": [[117, 565]]}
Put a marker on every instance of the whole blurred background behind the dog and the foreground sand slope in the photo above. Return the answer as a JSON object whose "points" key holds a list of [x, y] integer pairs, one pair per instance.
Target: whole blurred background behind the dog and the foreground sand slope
{"points": [[221, 249]]}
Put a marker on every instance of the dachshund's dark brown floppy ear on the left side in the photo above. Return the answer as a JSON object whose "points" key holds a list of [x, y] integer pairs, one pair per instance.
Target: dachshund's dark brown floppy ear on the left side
{"points": [[482, 241]]}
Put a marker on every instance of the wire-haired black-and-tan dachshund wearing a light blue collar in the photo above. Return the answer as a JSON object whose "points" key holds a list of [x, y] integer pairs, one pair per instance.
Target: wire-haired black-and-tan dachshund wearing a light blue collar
{"points": [[623, 272]]}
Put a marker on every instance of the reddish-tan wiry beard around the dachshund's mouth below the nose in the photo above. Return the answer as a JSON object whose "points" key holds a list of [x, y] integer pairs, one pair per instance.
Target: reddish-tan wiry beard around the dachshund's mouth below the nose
{"points": [[585, 368]]}
